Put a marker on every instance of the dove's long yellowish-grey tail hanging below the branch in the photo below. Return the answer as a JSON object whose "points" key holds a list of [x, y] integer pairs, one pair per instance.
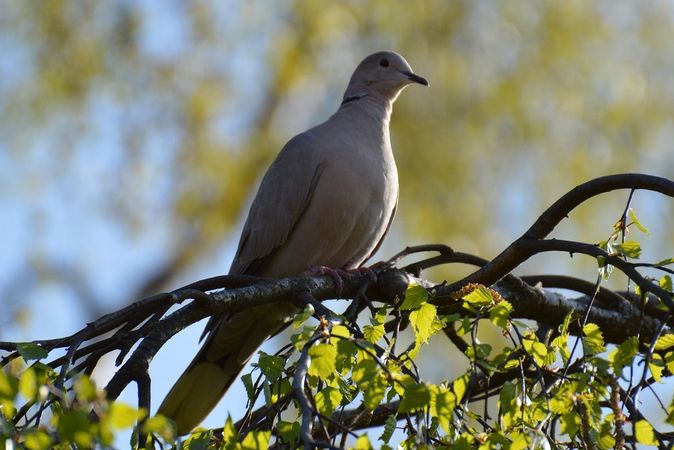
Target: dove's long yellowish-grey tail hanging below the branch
{"points": [[217, 365]]}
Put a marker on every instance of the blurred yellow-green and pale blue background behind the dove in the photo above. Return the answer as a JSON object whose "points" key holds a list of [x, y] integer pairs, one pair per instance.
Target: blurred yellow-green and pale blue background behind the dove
{"points": [[133, 133]]}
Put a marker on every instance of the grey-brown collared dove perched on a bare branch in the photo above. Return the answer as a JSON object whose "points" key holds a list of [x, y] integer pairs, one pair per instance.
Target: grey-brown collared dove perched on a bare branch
{"points": [[327, 200]]}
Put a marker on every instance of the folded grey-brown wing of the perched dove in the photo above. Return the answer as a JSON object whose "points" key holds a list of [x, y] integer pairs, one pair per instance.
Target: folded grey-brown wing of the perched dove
{"points": [[284, 194]]}
